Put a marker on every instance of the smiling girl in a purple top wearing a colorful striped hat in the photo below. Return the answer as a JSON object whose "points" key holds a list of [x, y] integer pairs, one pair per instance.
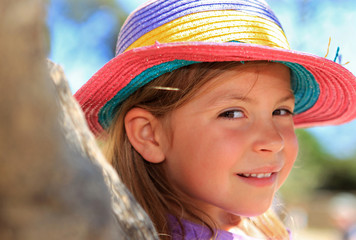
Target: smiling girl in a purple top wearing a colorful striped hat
{"points": [[198, 111]]}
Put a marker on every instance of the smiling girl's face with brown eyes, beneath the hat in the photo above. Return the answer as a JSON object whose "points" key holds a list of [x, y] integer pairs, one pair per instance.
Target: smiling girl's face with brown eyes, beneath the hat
{"points": [[233, 145]]}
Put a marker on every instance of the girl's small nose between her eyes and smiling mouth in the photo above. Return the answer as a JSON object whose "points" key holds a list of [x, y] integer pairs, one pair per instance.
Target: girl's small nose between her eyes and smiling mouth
{"points": [[268, 139]]}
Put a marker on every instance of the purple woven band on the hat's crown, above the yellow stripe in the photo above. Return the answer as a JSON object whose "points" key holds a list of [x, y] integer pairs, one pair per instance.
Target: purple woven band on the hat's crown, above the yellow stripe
{"points": [[161, 12]]}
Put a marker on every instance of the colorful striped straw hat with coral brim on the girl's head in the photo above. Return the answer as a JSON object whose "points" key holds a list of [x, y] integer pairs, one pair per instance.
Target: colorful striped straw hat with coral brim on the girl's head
{"points": [[163, 35]]}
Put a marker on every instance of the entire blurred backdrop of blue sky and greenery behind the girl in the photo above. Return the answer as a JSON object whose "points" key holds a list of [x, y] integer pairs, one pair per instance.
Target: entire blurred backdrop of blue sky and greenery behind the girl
{"points": [[318, 199]]}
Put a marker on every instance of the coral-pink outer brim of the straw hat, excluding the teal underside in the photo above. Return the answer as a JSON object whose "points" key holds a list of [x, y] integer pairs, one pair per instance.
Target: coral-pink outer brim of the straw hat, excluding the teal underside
{"points": [[336, 102]]}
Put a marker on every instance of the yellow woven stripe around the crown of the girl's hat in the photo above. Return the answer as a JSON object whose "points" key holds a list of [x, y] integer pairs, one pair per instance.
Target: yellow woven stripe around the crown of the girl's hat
{"points": [[217, 26]]}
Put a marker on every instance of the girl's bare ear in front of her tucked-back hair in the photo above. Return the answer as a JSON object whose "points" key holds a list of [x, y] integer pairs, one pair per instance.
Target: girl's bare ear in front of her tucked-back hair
{"points": [[144, 132]]}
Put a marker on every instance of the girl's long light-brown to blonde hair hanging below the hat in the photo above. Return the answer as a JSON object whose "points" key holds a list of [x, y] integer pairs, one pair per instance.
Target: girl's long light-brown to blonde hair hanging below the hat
{"points": [[147, 181]]}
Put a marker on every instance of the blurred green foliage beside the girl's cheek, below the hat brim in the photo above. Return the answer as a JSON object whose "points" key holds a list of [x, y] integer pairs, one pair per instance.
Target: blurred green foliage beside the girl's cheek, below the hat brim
{"points": [[315, 169]]}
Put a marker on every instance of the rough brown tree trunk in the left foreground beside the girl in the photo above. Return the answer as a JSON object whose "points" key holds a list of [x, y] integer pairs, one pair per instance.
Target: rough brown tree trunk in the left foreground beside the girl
{"points": [[54, 181]]}
